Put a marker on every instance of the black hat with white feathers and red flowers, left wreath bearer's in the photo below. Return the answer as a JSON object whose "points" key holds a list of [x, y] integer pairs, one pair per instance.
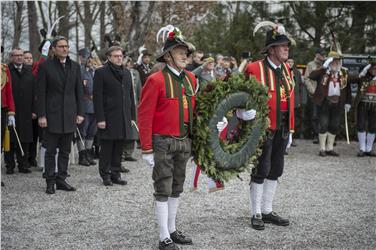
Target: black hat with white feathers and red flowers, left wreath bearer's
{"points": [[174, 39]]}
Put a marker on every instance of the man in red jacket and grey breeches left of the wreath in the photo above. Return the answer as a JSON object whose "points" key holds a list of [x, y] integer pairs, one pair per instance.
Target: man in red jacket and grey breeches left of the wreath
{"points": [[165, 125]]}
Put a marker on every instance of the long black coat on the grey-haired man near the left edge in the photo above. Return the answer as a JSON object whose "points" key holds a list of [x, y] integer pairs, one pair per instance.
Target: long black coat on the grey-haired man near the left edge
{"points": [[23, 86]]}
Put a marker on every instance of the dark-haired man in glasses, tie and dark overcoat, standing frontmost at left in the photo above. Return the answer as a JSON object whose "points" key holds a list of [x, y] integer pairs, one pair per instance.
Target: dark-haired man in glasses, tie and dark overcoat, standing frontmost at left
{"points": [[60, 109]]}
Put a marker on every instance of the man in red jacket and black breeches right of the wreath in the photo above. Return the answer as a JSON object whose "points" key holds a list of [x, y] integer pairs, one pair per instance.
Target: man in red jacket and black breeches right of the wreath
{"points": [[273, 72]]}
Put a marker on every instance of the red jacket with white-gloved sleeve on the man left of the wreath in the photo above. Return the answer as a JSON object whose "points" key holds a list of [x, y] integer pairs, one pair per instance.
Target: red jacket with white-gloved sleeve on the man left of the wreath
{"points": [[158, 111]]}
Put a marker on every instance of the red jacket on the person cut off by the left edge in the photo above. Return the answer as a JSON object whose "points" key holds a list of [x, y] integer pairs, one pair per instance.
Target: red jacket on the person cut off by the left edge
{"points": [[6, 90]]}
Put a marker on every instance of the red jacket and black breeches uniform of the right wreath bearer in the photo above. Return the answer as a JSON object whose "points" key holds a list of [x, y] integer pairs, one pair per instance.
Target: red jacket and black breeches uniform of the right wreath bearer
{"points": [[281, 115]]}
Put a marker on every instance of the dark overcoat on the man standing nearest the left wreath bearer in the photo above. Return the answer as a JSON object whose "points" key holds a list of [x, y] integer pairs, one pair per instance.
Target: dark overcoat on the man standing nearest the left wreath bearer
{"points": [[114, 103]]}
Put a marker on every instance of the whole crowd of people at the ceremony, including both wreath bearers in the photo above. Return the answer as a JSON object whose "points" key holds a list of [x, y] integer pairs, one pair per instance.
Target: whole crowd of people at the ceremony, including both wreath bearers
{"points": [[110, 108]]}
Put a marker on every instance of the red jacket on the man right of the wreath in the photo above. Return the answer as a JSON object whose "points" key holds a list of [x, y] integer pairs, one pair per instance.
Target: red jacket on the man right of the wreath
{"points": [[265, 75]]}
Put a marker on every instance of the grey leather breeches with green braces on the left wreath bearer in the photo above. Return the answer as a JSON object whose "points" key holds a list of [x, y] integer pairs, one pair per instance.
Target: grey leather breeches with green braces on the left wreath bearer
{"points": [[171, 153]]}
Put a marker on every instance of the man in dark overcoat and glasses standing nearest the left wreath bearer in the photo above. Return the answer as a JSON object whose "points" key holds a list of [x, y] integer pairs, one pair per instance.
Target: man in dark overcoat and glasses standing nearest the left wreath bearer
{"points": [[114, 108]]}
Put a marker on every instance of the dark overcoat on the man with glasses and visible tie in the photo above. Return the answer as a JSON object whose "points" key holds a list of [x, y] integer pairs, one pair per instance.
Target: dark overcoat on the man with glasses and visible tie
{"points": [[60, 95]]}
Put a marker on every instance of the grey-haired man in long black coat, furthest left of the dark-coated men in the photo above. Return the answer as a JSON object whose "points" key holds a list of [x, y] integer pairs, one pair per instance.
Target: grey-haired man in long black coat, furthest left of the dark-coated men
{"points": [[23, 86]]}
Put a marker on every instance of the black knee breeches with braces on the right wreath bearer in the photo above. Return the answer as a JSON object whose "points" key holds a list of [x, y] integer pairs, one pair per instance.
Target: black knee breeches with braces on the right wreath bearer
{"points": [[271, 162]]}
